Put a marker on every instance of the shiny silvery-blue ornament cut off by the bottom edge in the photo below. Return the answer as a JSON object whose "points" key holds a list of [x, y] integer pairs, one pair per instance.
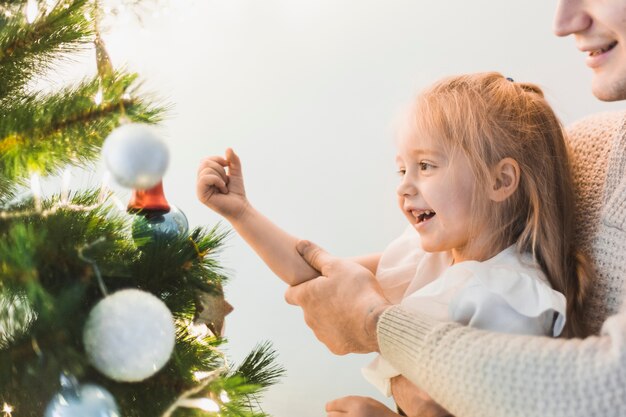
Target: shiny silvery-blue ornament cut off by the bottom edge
{"points": [[77, 400]]}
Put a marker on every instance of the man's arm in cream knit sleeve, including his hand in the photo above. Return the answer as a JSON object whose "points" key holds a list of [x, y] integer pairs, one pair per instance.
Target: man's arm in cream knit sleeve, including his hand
{"points": [[469, 372]]}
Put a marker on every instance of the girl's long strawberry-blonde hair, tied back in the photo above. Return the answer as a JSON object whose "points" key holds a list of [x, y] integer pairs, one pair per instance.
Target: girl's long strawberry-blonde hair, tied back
{"points": [[489, 118]]}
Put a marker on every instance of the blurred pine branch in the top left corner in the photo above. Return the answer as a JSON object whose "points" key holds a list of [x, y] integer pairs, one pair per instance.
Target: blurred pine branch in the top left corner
{"points": [[29, 49]]}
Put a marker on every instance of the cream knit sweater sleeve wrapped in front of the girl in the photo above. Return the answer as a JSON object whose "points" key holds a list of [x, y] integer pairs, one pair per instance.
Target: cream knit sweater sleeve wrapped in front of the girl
{"points": [[477, 373]]}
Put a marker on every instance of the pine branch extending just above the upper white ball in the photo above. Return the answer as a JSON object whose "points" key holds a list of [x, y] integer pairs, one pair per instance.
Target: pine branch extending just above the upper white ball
{"points": [[46, 132]]}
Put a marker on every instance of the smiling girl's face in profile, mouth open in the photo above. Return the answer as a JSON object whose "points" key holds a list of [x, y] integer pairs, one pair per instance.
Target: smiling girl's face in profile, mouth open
{"points": [[435, 194]]}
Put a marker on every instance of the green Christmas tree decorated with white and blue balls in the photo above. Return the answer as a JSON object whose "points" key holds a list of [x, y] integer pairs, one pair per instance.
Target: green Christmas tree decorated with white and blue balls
{"points": [[103, 312]]}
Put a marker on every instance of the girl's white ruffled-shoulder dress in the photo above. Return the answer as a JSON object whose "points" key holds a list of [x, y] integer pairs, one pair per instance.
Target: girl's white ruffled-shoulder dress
{"points": [[507, 293]]}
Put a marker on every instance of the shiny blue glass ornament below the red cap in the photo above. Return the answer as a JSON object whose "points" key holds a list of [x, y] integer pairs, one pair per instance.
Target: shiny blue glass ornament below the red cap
{"points": [[159, 226]]}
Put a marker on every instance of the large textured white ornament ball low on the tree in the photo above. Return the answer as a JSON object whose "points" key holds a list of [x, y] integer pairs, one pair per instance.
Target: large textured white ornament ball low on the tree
{"points": [[129, 335]]}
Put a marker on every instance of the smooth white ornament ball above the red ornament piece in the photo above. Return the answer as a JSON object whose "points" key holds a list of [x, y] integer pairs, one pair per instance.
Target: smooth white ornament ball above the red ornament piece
{"points": [[136, 156]]}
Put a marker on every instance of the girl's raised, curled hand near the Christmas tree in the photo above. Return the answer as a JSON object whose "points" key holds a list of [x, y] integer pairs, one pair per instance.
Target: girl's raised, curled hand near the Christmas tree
{"points": [[221, 191]]}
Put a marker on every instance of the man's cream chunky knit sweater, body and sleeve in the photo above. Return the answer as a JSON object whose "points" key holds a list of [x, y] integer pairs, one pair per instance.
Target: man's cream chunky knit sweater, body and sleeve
{"points": [[474, 373]]}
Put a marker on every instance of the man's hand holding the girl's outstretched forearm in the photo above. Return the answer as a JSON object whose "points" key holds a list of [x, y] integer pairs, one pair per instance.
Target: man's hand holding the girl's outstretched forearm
{"points": [[343, 305]]}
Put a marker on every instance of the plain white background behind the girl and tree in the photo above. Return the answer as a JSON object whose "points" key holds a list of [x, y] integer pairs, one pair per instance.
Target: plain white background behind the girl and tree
{"points": [[306, 91]]}
